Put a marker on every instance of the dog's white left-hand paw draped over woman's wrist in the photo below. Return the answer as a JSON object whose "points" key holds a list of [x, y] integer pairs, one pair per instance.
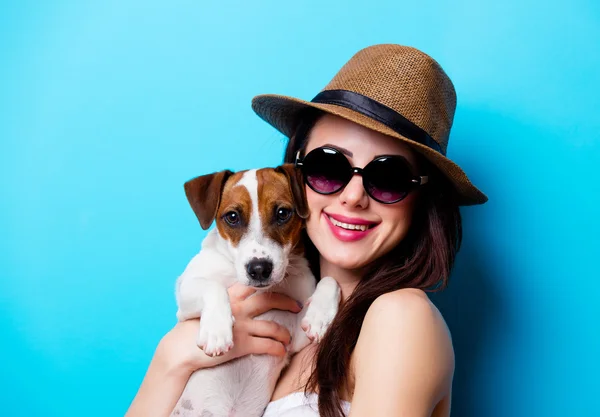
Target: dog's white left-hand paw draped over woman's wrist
{"points": [[216, 334]]}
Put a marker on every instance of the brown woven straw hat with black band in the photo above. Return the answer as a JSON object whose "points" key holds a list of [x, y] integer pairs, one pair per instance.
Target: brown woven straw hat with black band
{"points": [[392, 89]]}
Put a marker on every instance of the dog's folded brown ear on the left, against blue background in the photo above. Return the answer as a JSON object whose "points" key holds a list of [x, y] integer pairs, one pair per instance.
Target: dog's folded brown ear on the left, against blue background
{"points": [[204, 195]]}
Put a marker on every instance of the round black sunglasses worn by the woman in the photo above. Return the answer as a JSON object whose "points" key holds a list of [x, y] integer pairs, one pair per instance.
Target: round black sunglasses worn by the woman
{"points": [[387, 179]]}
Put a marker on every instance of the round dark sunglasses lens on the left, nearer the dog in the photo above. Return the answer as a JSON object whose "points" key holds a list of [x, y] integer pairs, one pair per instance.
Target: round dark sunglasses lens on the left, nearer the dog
{"points": [[326, 170]]}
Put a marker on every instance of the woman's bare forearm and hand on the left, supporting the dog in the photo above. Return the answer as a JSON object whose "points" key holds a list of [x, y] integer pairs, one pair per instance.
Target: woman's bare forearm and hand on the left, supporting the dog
{"points": [[177, 355]]}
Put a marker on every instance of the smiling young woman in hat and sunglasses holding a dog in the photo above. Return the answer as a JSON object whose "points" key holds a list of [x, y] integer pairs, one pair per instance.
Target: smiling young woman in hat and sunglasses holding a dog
{"points": [[384, 223]]}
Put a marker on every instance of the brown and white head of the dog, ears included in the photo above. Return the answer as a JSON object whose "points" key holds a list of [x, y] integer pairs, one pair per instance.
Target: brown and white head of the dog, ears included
{"points": [[259, 213]]}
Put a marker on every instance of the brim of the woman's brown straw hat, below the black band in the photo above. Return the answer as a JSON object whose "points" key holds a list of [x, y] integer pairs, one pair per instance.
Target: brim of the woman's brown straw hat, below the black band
{"points": [[284, 113]]}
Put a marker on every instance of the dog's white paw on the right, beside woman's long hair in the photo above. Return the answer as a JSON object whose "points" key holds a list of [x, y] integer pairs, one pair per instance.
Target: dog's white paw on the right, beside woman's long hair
{"points": [[322, 308]]}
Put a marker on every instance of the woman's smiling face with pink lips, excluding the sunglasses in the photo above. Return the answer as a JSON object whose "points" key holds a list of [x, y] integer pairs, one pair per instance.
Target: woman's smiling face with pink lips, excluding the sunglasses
{"points": [[388, 223]]}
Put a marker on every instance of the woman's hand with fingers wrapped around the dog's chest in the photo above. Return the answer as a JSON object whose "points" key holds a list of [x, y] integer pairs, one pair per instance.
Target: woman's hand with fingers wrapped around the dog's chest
{"points": [[179, 350]]}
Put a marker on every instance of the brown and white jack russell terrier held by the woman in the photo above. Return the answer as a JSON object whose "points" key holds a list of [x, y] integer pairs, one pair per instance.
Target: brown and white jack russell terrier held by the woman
{"points": [[257, 242]]}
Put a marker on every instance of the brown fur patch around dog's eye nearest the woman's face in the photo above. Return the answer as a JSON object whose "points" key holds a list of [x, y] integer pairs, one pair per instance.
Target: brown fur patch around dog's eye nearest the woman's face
{"points": [[274, 192]]}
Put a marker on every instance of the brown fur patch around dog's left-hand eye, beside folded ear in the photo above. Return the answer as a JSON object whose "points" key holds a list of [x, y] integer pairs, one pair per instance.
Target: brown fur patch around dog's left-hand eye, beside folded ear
{"points": [[234, 198]]}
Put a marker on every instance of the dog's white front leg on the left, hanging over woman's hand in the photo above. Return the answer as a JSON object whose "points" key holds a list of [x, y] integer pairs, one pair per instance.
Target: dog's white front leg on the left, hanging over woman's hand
{"points": [[207, 299]]}
